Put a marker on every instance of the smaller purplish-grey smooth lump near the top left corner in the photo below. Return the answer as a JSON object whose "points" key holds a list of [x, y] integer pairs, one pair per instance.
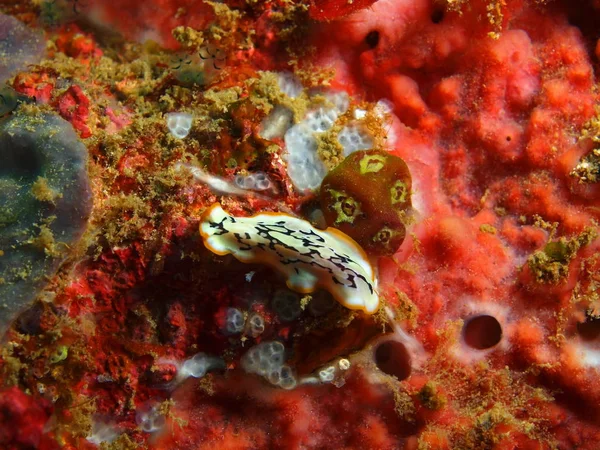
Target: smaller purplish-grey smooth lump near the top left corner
{"points": [[20, 46]]}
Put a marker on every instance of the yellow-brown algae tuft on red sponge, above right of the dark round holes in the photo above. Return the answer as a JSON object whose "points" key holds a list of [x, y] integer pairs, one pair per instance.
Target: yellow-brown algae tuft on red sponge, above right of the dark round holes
{"points": [[551, 265]]}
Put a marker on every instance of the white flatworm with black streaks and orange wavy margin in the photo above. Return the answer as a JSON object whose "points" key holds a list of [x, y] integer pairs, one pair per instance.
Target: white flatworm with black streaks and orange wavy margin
{"points": [[308, 257]]}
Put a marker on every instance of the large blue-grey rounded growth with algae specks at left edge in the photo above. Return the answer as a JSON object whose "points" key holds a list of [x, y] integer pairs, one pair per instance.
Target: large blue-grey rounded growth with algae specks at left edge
{"points": [[45, 200]]}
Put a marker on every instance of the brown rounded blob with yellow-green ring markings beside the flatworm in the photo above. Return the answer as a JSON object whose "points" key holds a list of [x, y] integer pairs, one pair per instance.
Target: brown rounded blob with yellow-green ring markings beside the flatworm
{"points": [[368, 197]]}
